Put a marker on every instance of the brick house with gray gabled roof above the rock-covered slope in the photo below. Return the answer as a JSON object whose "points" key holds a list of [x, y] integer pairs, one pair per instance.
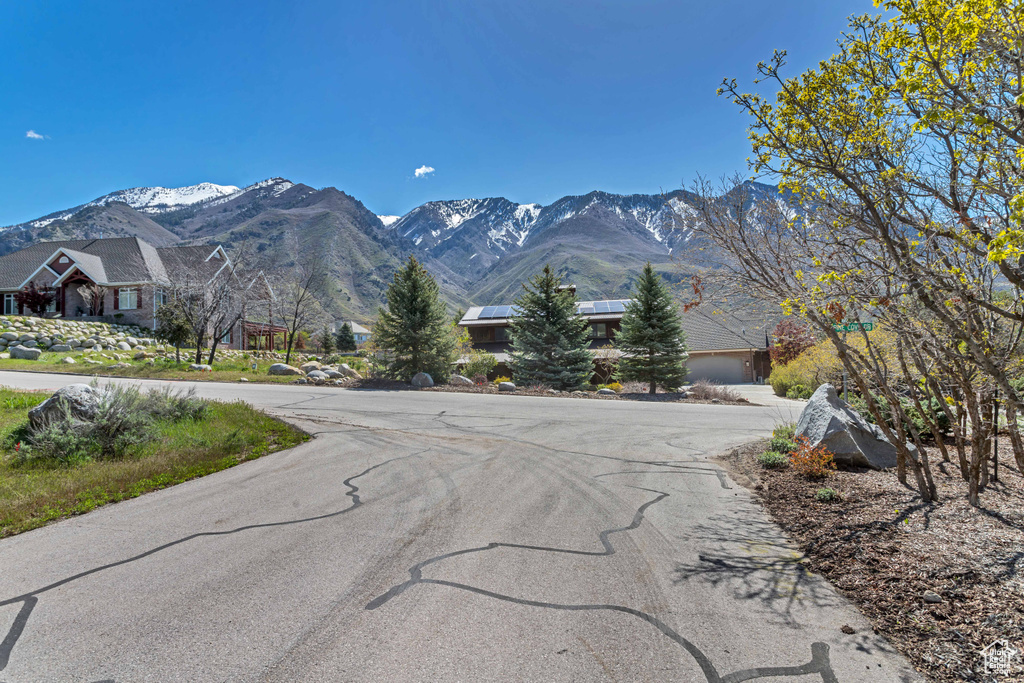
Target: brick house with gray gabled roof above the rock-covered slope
{"points": [[118, 280]]}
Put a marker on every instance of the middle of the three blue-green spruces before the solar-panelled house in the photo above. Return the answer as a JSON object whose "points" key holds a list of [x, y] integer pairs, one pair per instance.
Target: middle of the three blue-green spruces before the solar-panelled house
{"points": [[549, 339]]}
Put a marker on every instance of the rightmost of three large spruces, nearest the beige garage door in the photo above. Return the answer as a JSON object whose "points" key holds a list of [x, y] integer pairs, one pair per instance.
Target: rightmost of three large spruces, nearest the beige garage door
{"points": [[652, 337]]}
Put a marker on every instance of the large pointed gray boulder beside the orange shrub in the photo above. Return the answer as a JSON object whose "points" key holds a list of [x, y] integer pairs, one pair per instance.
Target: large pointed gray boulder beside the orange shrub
{"points": [[854, 442]]}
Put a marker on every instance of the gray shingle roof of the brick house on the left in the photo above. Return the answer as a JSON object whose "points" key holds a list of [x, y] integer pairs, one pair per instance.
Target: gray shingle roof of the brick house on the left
{"points": [[117, 261]]}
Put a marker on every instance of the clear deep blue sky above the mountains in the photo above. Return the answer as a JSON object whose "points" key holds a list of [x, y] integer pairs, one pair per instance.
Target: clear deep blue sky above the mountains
{"points": [[528, 100]]}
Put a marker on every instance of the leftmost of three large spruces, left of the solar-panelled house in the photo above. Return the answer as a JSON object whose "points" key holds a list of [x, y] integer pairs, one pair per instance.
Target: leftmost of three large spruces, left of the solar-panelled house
{"points": [[415, 330]]}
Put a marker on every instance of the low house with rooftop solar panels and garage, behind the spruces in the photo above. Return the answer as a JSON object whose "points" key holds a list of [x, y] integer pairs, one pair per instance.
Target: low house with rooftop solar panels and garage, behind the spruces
{"points": [[722, 348]]}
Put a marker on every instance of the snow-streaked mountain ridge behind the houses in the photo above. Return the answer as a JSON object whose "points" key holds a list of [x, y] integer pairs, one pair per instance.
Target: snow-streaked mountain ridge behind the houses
{"points": [[481, 250]]}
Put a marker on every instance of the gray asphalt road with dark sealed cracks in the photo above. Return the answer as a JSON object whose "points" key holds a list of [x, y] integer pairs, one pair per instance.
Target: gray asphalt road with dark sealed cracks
{"points": [[434, 537]]}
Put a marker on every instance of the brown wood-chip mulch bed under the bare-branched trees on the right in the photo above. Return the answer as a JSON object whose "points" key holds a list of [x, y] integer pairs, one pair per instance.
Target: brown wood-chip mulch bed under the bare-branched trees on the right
{"points": [[883, 548]]}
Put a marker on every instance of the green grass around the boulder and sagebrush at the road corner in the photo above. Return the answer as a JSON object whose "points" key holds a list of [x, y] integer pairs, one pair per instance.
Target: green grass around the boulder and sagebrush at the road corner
{"points": [[36, 492]]}
